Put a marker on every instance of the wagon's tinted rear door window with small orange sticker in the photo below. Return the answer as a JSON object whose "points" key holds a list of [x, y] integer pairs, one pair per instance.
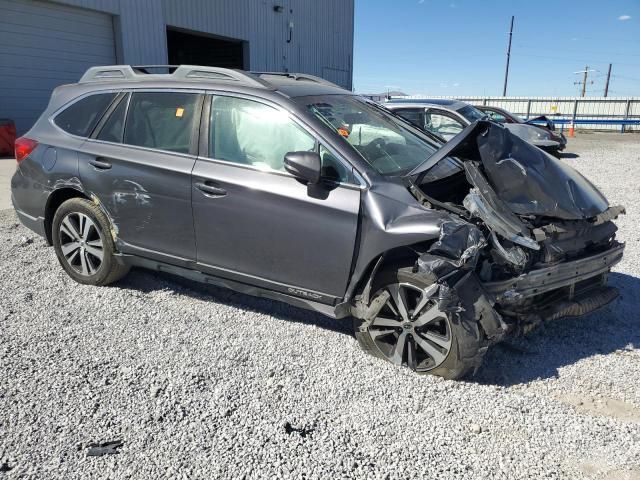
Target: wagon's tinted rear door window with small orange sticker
{"points": [[163, 120]]}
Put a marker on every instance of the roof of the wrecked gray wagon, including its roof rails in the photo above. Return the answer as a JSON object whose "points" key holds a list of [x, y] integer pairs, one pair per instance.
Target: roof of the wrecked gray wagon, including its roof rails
{"points": [[290, 84]]}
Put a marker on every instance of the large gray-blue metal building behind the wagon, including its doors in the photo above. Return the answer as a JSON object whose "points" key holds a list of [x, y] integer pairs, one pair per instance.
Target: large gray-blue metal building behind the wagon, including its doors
{"points": [[48, 43]]}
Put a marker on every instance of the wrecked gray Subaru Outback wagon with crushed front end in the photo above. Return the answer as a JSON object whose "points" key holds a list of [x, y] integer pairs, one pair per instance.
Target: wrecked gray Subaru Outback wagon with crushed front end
{"points": [[289, 187]]}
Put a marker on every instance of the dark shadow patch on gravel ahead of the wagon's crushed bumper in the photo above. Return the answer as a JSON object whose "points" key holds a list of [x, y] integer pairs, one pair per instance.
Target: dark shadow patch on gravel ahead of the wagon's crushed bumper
{"points": [[564, 342]]}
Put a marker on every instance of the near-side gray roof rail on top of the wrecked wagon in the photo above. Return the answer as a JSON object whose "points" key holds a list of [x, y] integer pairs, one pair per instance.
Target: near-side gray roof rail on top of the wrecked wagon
{"points": [[141, 72]]}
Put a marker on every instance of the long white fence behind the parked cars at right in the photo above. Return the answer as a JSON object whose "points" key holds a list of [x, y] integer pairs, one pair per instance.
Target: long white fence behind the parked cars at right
{"points": [[593, 113]]}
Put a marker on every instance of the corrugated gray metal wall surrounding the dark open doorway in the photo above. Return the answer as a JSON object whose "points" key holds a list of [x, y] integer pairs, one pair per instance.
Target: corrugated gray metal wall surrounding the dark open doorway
{"points": [[321, 39]]}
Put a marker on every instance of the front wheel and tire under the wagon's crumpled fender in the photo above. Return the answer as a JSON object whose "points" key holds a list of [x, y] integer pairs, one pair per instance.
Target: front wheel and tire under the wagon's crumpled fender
{"points": [[463, 342]]}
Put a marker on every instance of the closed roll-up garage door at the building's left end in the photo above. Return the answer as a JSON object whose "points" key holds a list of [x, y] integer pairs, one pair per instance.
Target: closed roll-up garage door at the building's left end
{"points": [[43, 45]]}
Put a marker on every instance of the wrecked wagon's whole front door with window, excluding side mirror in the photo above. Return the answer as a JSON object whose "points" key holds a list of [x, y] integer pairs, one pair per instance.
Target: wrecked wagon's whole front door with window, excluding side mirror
{"points": [[254, 221]]}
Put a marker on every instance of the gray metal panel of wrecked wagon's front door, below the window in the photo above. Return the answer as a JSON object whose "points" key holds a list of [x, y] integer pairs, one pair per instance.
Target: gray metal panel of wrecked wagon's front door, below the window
{"points": [[272, 226]]}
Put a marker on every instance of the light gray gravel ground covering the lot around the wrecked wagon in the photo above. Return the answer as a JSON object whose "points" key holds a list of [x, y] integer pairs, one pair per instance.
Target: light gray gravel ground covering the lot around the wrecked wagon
{"points": [[199, 382]]}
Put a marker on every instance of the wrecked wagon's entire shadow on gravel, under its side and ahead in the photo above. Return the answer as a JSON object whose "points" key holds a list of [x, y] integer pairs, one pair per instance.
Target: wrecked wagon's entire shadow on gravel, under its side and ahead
{"points": [[539, 355]]}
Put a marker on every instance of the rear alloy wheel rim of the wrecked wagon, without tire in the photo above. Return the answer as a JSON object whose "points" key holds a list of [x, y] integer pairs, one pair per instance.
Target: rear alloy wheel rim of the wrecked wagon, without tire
{"points": [[81, 243]]}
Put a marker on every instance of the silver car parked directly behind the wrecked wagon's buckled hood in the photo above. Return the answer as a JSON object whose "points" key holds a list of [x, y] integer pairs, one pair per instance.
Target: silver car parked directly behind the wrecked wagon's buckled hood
{"points": [[447, 118]]}
